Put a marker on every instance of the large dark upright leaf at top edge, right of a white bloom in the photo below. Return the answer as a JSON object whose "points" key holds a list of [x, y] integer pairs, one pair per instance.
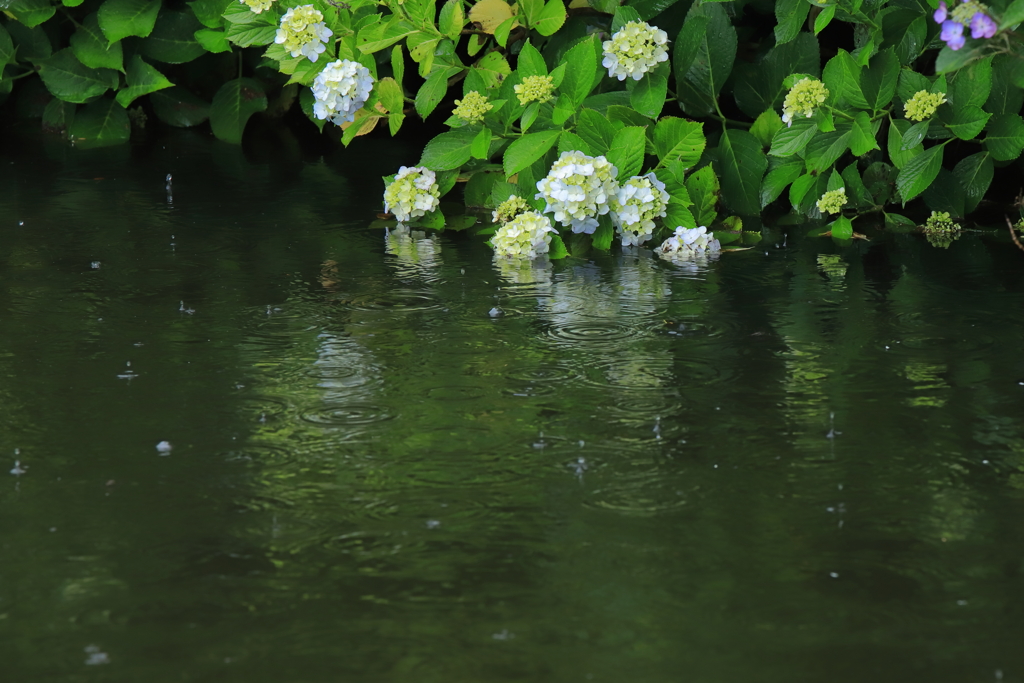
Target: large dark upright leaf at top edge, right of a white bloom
{"points": [[715, 56]]}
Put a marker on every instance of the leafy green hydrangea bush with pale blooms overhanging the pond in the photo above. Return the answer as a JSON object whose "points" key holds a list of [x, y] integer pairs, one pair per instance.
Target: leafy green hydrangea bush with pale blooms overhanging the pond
{"points": [[628, 118]]}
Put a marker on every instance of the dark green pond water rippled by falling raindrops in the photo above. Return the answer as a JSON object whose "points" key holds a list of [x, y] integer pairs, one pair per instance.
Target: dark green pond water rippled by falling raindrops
{"points": [[632, 476]]}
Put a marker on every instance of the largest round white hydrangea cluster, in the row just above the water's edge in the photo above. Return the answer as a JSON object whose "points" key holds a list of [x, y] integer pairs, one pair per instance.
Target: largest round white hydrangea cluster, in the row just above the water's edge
{"points": [[578, 189]]}
